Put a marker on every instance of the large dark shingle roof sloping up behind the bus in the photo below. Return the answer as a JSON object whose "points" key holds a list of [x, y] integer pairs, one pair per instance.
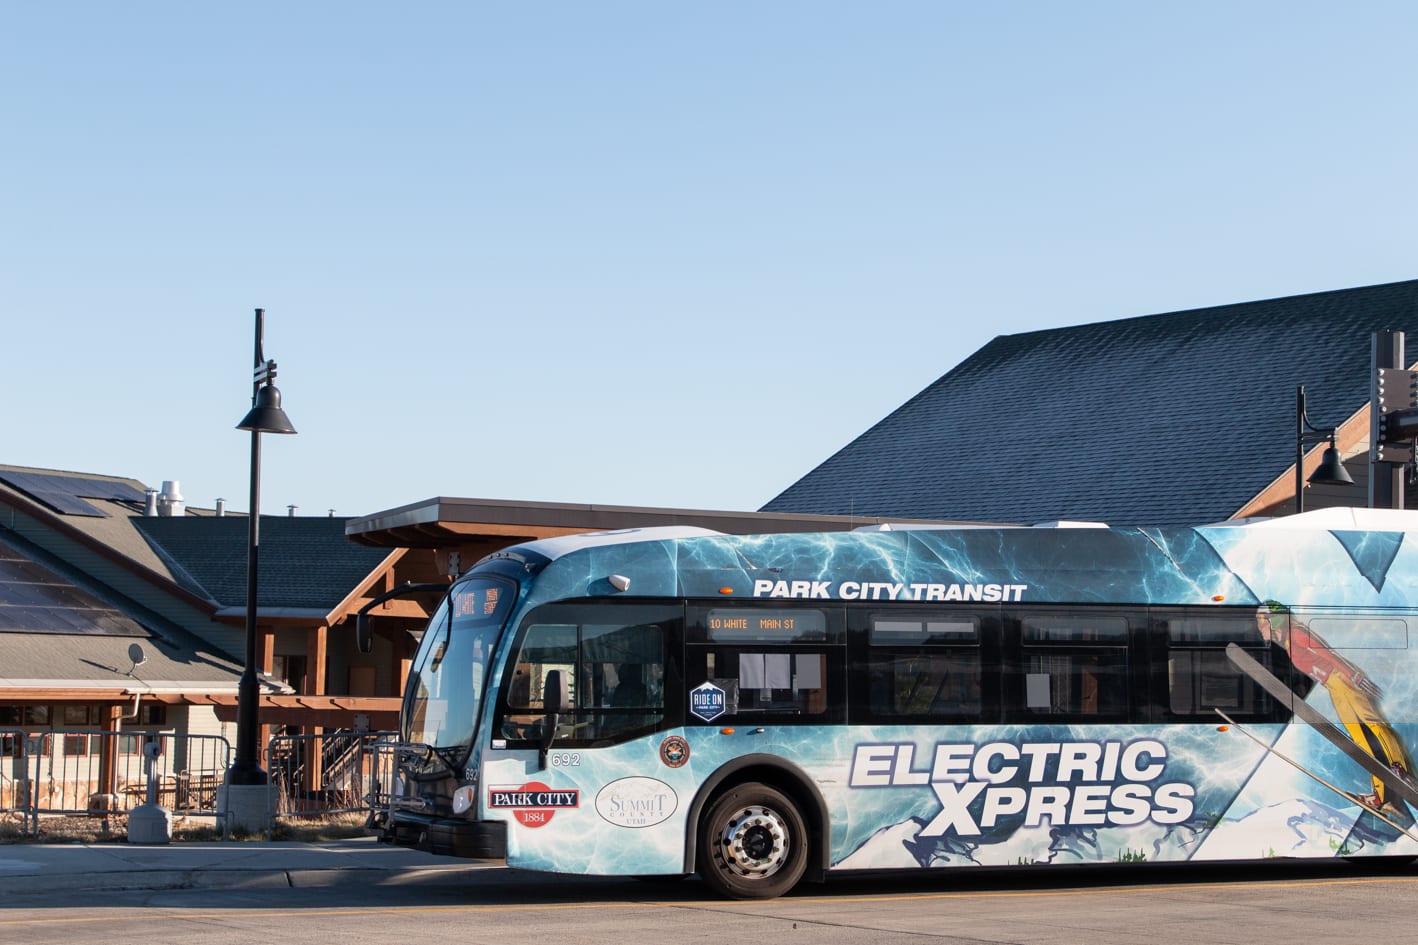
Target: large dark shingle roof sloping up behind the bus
{"points": [[1172, 419]]}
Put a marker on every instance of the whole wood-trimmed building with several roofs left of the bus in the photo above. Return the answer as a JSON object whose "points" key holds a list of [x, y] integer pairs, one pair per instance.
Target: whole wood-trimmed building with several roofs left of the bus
{"points": [[91, 565]]}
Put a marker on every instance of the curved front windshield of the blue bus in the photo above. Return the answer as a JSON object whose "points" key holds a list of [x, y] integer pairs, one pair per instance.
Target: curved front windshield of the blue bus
{"points": [[447, 680]]}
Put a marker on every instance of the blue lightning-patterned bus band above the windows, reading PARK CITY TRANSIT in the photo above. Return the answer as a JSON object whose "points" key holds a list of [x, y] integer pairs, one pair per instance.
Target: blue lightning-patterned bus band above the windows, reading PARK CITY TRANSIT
{"points": [[1332, 557]]}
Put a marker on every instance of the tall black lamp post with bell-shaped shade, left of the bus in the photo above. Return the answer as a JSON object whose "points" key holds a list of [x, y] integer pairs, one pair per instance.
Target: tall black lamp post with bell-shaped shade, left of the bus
{"points": [[266, 416]]}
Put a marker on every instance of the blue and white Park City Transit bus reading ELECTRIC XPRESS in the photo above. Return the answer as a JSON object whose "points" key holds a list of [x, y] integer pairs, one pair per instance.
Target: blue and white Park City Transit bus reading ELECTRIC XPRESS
{"points": [[771, 709]]}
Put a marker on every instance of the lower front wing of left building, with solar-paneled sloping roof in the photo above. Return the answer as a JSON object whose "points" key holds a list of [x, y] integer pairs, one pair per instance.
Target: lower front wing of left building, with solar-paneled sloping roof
{"points": [[87, 678]]}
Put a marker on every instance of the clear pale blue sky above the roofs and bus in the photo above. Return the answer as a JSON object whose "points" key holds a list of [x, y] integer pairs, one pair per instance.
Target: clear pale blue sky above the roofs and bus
{"points": [[642, 253]]}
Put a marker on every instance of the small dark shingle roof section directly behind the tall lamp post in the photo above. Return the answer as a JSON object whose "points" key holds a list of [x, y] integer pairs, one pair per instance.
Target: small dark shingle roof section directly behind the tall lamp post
{"points": [[304, 563]]}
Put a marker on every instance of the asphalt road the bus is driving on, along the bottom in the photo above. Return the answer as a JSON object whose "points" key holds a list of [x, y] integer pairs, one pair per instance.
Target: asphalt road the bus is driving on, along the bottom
{"points": [[1104, 906]]}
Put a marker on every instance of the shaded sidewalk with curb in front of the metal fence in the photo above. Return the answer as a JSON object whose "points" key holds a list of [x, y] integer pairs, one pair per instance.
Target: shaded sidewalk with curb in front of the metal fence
{"points": [[50, 868]]}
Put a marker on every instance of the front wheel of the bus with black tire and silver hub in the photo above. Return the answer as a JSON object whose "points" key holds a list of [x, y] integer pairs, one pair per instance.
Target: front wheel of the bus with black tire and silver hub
{"points": [[752, 845]]}
